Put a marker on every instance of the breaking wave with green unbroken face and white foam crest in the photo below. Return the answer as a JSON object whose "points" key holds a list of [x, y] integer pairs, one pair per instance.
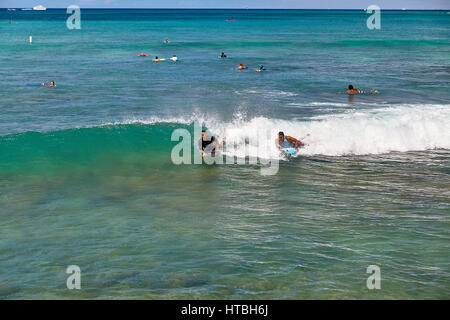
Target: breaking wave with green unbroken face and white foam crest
{"points": [[397, 128]]}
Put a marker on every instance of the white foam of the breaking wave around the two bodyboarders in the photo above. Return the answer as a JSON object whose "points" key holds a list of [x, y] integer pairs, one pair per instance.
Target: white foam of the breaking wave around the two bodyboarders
{"points": [[398, 128]]}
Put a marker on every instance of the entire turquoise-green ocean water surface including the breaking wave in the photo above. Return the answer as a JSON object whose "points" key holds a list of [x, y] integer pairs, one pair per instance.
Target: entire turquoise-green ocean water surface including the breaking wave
{"points": [[86, 176]]}
